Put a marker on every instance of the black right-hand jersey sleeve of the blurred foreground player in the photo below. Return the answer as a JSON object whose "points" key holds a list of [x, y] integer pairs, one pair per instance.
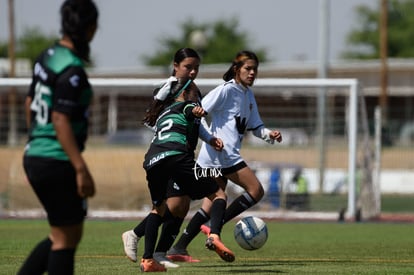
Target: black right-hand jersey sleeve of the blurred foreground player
{"points": [[68, 90]]}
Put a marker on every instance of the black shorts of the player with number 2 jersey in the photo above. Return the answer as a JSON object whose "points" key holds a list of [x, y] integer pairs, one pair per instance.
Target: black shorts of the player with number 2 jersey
{"points": [[162, 179]]}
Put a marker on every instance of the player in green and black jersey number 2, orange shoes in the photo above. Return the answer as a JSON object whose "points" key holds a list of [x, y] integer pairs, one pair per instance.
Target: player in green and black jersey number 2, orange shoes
{"points": [[176, 115]]}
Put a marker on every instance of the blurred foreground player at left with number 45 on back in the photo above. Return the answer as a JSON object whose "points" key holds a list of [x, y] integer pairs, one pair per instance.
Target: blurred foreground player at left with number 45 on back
{"points": [[56, 114]]}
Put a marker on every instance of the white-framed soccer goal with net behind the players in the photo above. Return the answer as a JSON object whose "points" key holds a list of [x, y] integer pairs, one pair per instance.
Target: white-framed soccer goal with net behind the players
{"points": [[323, 164]]}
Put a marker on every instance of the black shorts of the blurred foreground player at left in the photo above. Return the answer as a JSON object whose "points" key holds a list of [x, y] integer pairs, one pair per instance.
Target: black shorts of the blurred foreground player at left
{"points": [[54, 182]]}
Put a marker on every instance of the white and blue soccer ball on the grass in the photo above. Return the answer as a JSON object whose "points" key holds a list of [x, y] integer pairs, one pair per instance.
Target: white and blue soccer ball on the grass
{"points": [[250, 233]]}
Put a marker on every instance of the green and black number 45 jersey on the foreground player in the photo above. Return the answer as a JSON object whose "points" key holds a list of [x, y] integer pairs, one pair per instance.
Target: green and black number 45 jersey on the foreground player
{"points": [[59, 83]]}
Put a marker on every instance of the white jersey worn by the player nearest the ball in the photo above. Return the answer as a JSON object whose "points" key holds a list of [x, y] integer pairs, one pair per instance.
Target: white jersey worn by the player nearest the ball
{"points": [[232, 109]]}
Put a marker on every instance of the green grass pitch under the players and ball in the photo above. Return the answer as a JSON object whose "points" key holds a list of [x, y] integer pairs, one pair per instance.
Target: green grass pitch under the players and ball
{"points": [[292, 248]]}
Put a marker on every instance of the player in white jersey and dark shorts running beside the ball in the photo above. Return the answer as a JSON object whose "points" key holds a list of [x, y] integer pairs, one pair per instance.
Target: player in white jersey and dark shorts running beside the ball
{"points": [[233, 111]]}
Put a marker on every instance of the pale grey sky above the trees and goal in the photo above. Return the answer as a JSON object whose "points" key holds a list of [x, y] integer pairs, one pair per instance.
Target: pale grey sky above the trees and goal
{"points": [[128, 29]]}
